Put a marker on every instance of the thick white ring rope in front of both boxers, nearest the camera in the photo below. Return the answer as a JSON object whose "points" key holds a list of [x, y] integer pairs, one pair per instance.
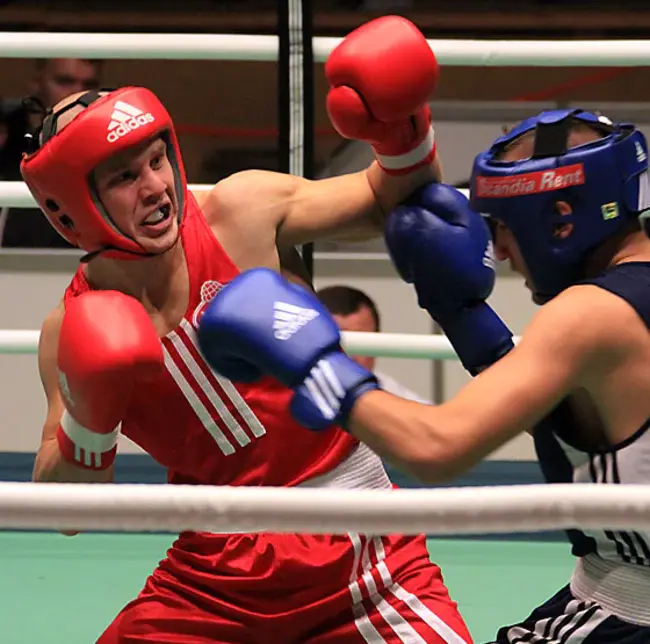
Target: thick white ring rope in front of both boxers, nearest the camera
{"points": [[445, 511]]}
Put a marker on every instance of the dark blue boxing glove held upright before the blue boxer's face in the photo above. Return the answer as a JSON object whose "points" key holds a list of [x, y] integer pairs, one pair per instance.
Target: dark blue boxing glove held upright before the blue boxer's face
{"points": [[442, 247]]}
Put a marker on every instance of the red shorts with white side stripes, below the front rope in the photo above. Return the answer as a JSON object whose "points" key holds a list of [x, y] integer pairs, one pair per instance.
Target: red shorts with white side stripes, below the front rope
{"points": [[292, 589]]}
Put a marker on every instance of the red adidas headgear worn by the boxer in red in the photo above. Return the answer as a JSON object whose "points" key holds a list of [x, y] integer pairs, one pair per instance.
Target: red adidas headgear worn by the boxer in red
{"points": [[59, 172]]}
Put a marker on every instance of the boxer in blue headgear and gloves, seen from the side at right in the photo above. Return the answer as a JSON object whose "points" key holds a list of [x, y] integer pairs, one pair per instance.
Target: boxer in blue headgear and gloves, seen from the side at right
{"points": [[565, 194]]}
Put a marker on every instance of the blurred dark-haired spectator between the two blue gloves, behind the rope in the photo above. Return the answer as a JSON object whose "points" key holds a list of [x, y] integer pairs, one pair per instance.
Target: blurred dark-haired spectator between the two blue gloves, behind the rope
{"points": [[354, 310]]}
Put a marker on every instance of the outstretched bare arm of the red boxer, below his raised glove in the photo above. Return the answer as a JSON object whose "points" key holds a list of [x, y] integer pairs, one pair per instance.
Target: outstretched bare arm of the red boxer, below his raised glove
{"points": [[302, 210]]}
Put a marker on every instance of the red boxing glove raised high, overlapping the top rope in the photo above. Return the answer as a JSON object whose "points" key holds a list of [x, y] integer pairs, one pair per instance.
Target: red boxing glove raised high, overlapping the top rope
{"points": [[381, 78]]}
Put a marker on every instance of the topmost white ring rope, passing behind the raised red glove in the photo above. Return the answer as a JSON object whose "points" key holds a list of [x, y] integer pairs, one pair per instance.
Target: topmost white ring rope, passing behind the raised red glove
{"points": [[536, 53]]}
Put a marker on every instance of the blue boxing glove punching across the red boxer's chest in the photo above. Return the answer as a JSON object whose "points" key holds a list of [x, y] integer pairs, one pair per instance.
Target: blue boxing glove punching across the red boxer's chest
{"points": [[260, 324]]}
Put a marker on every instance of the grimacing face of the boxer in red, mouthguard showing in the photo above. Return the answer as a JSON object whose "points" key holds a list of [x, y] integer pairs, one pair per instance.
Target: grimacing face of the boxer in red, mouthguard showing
{"points": [[136, 188]]}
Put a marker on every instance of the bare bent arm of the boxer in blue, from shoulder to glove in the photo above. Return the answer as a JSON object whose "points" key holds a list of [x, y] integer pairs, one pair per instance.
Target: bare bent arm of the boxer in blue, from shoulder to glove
{"points": [[439, 443]]}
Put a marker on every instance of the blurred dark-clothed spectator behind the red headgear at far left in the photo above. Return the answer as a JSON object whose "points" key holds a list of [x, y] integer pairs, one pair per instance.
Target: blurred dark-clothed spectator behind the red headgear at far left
{"points": [[54, 79]]}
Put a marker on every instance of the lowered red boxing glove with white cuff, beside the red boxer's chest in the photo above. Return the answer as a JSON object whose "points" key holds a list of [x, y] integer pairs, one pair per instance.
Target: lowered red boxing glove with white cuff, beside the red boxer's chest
{"points": [[107, 344]]}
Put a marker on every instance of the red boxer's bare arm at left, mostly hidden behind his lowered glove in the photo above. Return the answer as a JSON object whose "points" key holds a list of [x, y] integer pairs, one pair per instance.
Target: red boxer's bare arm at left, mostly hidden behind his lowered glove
{"points": [[49, 465]]}
